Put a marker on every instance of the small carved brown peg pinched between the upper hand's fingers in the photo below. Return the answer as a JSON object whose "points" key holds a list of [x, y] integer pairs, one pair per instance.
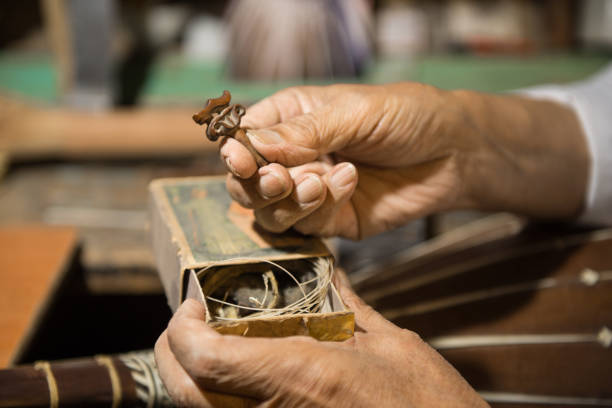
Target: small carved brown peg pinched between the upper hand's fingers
{"points": [[223, 120]]}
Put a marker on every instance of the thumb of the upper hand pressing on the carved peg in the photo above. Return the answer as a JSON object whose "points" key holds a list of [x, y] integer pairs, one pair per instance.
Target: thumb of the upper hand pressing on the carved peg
{"points": [[304, 138]]}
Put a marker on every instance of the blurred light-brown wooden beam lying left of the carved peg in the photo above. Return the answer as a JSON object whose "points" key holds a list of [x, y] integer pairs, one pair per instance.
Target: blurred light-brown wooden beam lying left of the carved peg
{"points": [[32, 133]]}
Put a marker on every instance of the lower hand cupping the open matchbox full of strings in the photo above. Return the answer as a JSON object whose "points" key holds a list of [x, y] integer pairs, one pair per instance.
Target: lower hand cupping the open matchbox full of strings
{"points": [[382, 365]]}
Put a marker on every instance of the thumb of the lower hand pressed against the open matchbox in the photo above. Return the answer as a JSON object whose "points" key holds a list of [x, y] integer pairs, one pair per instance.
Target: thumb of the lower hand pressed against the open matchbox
{"points": [[366, 317]]}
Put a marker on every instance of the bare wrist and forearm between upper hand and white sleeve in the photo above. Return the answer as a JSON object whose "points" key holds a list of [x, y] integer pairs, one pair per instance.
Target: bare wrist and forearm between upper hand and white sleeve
{"points": [[524, 156]]}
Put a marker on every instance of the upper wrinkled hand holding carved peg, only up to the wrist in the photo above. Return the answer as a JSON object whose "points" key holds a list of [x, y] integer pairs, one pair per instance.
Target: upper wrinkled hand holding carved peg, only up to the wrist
{"points": [[348, 160]]}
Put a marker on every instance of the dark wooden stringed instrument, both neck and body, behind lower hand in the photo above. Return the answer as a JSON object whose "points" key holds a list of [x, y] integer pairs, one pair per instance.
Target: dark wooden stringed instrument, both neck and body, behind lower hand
{"points": [[525, 318]]}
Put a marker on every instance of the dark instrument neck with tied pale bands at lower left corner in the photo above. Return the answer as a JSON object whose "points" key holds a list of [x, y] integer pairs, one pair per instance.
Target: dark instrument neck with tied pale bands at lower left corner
{"points": [[126, 380]]}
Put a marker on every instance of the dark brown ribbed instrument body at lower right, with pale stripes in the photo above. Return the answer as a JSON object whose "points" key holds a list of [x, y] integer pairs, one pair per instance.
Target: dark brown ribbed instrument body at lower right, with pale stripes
{"points": [[525, 319]]}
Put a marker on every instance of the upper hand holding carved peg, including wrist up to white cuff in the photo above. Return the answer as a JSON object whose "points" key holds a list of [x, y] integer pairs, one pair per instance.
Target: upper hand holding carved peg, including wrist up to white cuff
{"points": [[355, 160]]}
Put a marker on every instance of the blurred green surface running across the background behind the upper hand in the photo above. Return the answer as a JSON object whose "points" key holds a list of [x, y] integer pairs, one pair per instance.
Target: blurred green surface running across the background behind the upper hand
{"points": [[176, 81]]}
